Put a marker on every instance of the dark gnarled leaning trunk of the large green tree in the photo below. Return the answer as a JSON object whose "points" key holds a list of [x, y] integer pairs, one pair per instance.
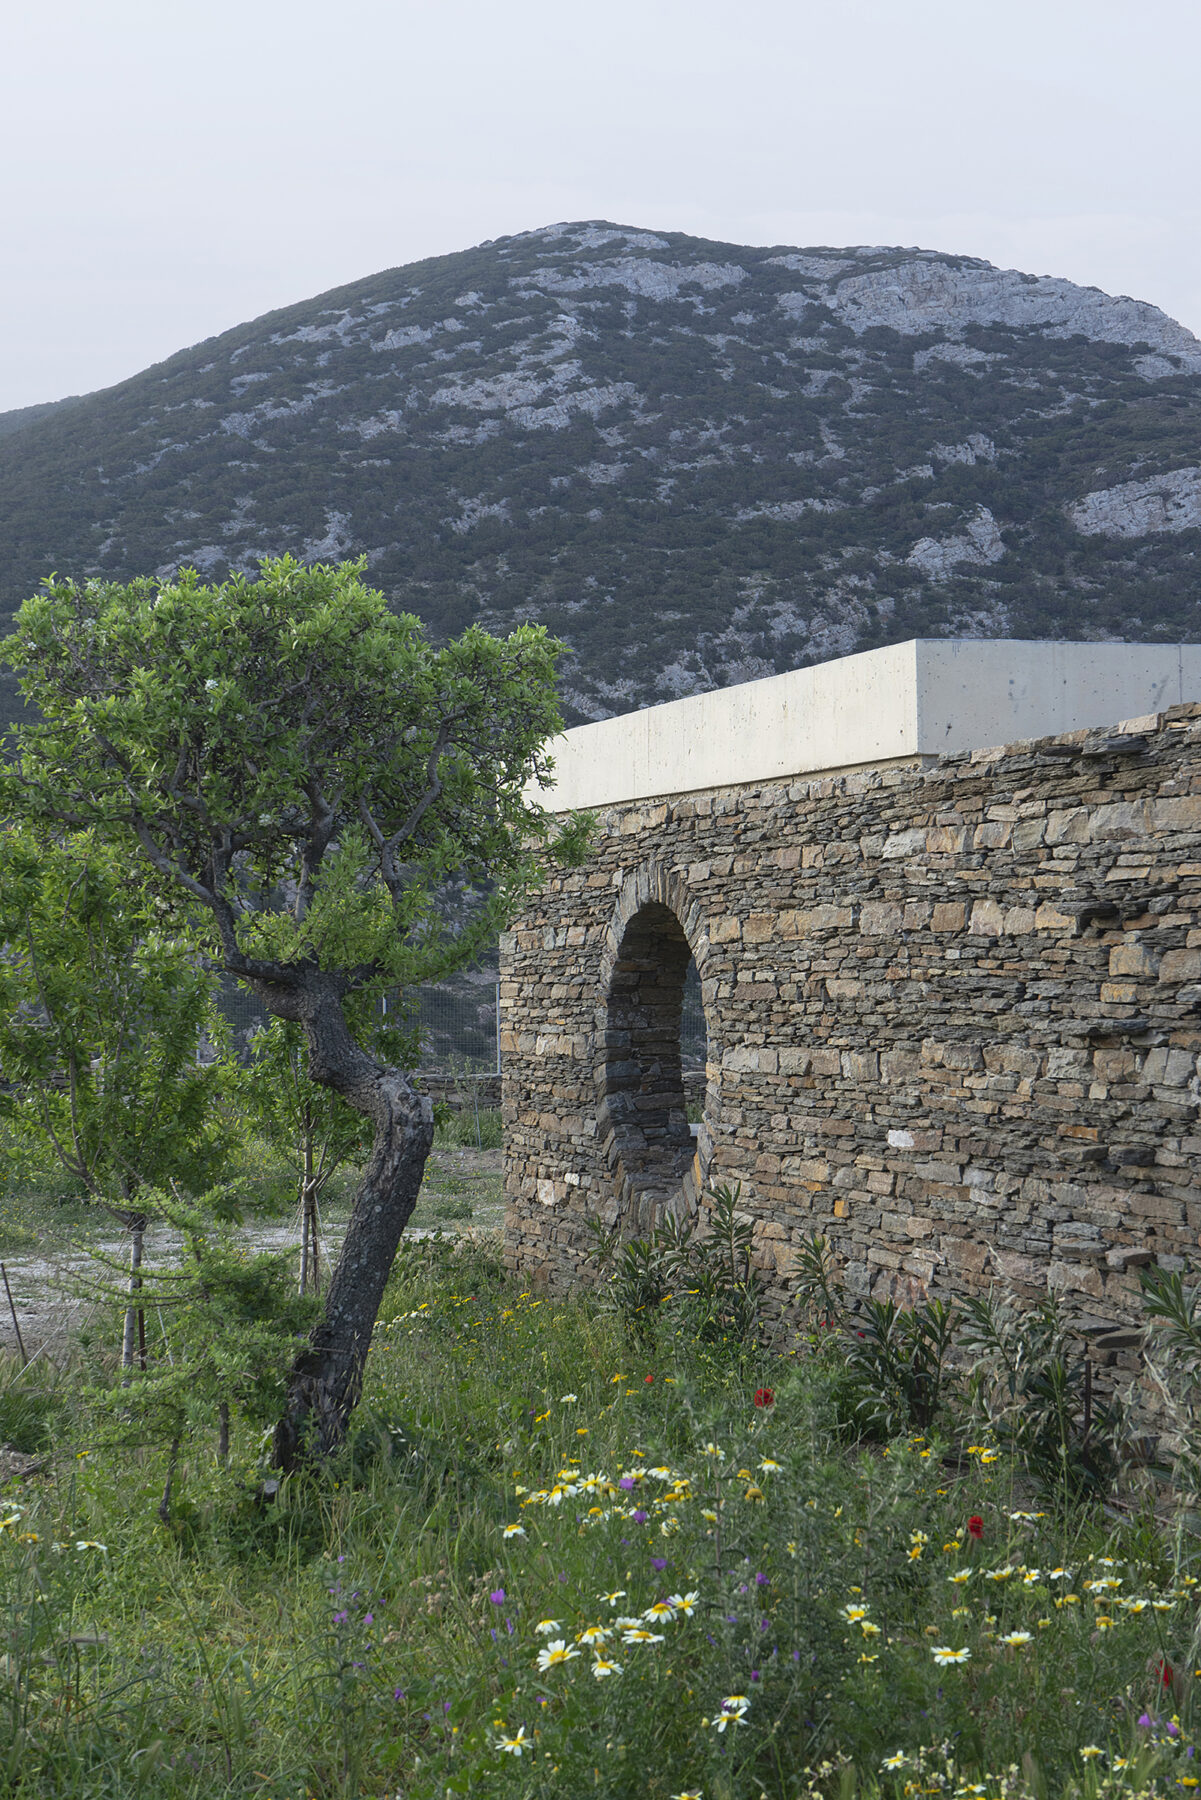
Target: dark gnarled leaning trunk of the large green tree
{"points": [[327, 1376]]}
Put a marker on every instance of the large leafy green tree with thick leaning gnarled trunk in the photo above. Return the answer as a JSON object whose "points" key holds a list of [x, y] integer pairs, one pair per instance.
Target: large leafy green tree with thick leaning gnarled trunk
{"points": [[302, 773]]}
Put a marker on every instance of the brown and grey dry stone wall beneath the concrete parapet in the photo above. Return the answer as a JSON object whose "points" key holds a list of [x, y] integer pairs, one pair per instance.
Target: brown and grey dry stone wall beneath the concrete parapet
{"points": [[953, 1012]]}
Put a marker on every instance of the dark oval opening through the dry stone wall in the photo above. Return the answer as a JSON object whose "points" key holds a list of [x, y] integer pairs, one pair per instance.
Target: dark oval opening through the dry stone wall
{"points": [[644, 1110]]}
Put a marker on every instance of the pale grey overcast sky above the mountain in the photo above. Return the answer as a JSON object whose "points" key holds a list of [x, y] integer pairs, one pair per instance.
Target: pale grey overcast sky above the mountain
{"points": [[172, 168]]}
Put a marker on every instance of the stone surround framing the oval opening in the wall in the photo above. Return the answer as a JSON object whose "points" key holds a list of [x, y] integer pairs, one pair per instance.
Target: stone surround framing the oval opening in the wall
{"points": [[653, 1156]]}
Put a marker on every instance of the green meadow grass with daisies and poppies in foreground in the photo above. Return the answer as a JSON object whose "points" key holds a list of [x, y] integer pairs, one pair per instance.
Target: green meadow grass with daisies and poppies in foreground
{"points": [[528, 1497]]}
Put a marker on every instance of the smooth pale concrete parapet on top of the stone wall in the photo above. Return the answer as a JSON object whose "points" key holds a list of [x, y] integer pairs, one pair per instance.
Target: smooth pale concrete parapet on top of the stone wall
{"points": [[919, 699]]}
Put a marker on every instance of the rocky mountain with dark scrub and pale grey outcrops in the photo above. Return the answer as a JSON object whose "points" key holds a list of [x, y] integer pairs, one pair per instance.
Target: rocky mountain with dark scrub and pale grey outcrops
{"points": [[696, 462]]}
